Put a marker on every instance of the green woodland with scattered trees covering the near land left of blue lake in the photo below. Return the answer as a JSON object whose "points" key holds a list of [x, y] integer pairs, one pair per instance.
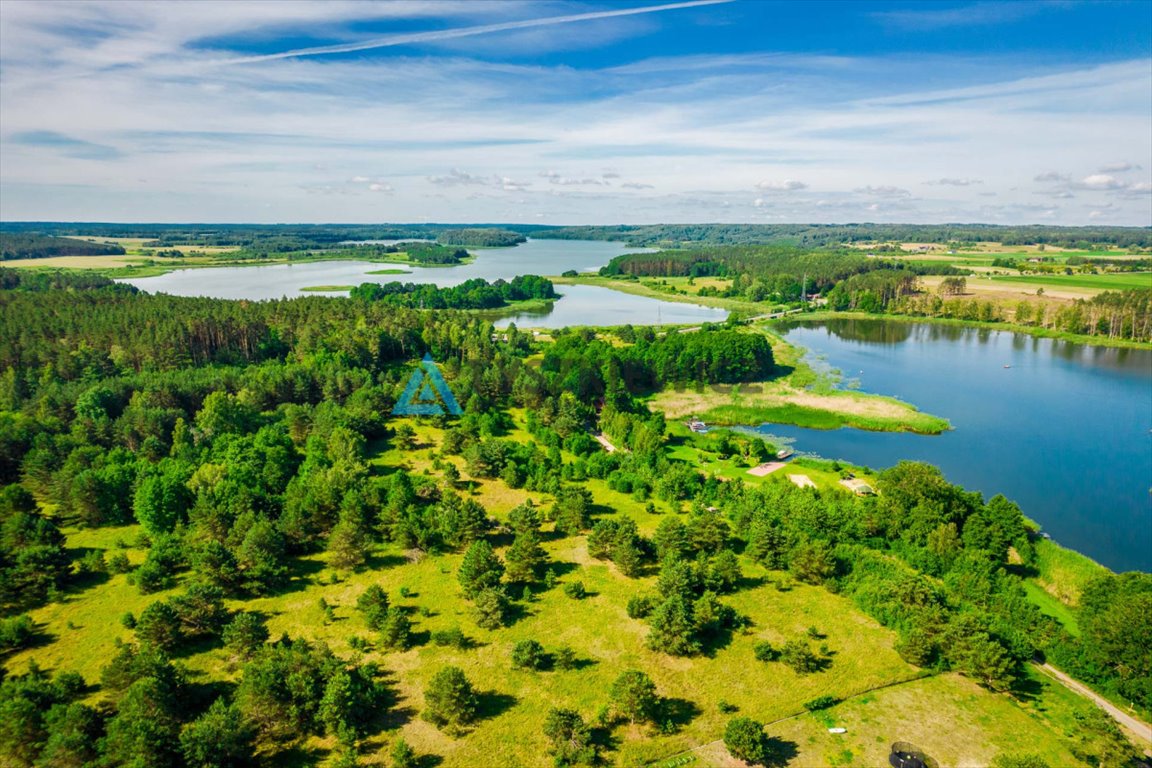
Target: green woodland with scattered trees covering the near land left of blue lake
{"points": [[240, 437]]}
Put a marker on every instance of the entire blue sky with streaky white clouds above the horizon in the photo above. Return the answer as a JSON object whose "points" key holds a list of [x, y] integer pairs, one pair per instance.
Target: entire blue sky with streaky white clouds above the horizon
{"points": [[626, 112]]}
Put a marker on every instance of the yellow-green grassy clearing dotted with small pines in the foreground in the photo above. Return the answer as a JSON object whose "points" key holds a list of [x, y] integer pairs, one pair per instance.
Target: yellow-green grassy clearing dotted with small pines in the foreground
{"points": [[885, 699]]}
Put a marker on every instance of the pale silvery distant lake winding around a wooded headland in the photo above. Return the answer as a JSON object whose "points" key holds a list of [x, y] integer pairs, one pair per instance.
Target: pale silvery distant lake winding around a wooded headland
{"points": [[579, 305]]}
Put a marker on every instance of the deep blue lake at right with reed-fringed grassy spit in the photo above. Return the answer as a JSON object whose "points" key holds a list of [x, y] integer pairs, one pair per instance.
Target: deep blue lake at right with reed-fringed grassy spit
{"points": [[1066, 432]]}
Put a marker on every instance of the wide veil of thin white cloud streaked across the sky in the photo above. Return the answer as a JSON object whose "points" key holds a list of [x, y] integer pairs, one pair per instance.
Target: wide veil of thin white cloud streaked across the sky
{"points": [[229, 141]]}
